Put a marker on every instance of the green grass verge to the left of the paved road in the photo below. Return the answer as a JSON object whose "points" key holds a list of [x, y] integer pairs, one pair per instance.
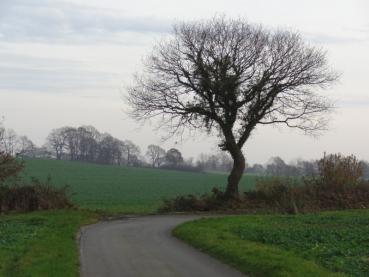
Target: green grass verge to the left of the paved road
{"points": [[41, 243]]}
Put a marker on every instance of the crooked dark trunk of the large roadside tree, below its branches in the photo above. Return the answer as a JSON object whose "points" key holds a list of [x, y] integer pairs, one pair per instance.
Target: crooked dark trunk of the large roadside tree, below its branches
{"points": [[236, 173]]}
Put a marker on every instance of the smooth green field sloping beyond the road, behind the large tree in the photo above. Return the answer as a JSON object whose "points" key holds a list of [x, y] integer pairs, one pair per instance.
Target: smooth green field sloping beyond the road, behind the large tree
{"points": [[125, 189]]}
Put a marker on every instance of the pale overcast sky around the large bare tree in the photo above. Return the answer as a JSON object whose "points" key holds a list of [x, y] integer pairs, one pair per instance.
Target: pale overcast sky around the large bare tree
{"points": [[68, 62]]}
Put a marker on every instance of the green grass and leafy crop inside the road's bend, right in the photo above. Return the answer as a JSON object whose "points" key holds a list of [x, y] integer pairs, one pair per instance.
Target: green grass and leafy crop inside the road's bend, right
{"points": [[282, 245]]}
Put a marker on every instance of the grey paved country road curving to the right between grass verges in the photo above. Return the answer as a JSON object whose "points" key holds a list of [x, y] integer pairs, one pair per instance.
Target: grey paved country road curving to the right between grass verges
{"points": [[143, 246]]}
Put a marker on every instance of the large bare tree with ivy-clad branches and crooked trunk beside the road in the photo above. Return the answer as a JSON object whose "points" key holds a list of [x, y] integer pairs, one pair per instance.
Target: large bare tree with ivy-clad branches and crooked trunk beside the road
{"points": [[228, 76]]}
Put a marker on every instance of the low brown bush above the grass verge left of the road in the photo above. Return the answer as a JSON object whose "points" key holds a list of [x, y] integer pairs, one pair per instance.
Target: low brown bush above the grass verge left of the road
{"points": [[34, 196]]}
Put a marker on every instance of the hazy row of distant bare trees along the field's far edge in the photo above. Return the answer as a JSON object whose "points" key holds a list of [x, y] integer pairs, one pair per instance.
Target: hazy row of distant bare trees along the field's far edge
{"points": [[86, 143]]}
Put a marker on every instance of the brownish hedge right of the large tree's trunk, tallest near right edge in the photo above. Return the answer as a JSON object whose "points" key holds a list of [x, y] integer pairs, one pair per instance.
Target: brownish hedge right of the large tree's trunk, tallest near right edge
{"points": [[339, 186]]}
